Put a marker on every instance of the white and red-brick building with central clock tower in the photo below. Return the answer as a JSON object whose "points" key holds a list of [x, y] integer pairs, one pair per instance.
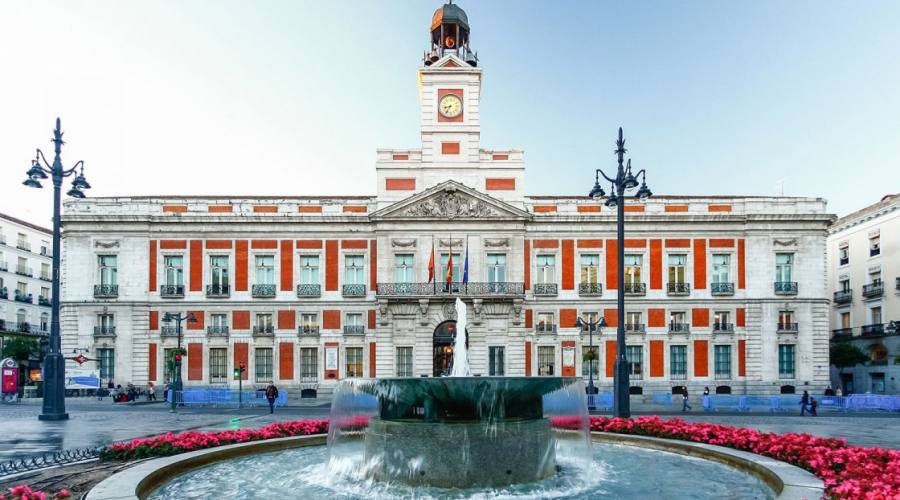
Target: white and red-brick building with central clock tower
{"points": [[725, 291]]}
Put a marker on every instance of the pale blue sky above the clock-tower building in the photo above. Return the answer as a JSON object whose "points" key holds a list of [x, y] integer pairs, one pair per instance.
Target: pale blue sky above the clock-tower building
{"points": [[289, 97]]}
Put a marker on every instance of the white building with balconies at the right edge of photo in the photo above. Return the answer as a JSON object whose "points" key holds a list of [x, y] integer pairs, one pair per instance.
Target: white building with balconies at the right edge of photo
{"points": [[864, 276]]}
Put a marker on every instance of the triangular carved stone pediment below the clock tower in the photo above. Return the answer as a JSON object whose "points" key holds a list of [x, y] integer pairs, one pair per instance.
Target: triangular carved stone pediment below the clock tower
{"points": [[451, 200]]}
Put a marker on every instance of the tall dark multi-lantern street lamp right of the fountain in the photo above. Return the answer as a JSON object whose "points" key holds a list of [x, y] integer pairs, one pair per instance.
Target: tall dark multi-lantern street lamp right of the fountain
{"points": [[623, 181]]}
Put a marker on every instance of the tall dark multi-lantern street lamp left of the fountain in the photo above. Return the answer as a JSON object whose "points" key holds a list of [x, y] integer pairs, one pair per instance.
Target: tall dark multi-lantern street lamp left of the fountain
{"points": [[54, 364]]}
